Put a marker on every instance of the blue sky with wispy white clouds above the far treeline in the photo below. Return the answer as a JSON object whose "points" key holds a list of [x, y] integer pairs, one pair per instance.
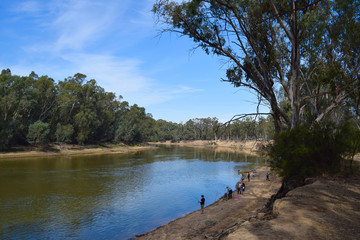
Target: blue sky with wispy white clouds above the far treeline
{"points": [[117, 43]]}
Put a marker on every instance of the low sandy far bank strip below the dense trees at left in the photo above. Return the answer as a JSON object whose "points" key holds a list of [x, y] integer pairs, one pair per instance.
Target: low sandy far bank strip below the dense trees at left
{"points": [[71, 150]]}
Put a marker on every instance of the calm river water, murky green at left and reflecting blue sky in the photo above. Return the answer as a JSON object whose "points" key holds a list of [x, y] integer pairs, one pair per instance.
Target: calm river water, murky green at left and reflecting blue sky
{"points": [[110, 196]]}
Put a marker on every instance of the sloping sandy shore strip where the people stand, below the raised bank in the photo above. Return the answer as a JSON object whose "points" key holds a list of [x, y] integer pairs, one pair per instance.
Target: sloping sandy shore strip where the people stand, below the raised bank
{"points": [[222, 213]]}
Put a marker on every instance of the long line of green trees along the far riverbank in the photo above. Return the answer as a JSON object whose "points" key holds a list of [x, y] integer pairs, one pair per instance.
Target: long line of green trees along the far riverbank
{"points": [[37, 110]]}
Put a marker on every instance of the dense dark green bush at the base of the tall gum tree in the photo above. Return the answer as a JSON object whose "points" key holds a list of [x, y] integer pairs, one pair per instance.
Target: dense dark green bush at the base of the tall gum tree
{"points": [[309, 151]]}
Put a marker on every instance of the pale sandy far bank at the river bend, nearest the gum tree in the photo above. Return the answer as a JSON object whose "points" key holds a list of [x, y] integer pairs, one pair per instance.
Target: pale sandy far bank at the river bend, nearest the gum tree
{"points": [[252, 147]]}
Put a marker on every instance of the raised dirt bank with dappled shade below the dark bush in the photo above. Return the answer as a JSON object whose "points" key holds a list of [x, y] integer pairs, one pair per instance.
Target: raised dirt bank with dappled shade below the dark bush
{"points": [[329, 208]]}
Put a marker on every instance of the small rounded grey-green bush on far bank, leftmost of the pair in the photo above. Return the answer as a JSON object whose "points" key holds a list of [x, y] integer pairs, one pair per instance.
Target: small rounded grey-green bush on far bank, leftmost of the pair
{"points": [[38, 133]]}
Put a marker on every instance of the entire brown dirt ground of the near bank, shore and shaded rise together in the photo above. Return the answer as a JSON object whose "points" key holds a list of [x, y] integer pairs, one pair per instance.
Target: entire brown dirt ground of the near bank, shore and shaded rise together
{"points": [[327, 208]]}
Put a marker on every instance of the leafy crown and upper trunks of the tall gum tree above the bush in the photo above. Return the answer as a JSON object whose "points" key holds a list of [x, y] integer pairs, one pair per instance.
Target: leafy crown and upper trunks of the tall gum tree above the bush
{"points": [[308, 49]]}
